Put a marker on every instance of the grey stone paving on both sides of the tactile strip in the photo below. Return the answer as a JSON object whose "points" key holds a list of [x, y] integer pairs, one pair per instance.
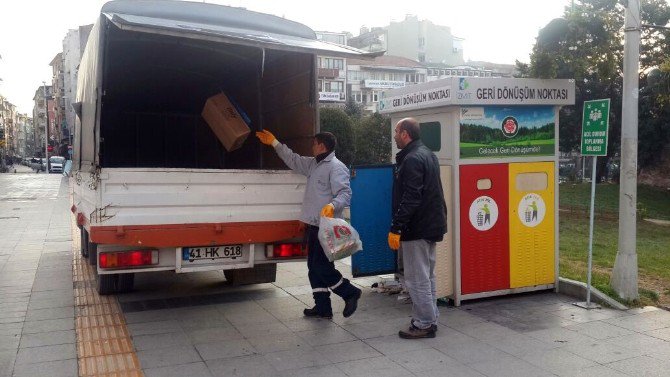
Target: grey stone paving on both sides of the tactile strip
{"points": [[198, 325]]}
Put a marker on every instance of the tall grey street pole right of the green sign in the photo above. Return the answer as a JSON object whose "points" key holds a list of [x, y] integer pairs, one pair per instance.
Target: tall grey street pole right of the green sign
{"points": [[624, 274]]}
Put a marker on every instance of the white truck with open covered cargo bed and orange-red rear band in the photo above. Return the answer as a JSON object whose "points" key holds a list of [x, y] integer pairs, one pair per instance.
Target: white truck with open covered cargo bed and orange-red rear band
{"points": [[153, 188]]}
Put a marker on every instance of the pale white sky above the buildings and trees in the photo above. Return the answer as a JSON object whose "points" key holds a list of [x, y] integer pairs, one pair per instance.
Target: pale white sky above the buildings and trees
{"points": [[32, 31]]}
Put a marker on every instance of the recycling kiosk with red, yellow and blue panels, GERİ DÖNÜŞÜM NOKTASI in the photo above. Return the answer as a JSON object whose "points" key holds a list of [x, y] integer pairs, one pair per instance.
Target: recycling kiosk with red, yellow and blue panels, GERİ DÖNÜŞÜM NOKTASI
{"points": [[497, 143]]}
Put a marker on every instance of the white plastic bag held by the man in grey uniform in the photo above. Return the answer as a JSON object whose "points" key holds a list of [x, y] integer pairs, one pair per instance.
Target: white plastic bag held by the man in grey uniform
{"points": [[338, 238]]}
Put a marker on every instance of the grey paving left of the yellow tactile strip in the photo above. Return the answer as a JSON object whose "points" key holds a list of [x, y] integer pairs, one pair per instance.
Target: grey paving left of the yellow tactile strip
{"points": [[37, 336]]}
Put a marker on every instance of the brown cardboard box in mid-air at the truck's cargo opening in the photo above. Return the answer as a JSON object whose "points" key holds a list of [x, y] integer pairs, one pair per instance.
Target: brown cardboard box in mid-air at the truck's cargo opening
{"points": [[226, 122]]}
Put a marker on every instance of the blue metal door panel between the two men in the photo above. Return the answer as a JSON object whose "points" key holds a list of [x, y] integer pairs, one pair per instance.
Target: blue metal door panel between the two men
{"points": [[372, 188]]}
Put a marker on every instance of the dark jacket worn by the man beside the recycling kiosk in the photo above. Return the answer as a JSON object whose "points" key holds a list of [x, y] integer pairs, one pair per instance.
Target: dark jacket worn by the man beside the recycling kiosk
{"points": [[419, 209]]}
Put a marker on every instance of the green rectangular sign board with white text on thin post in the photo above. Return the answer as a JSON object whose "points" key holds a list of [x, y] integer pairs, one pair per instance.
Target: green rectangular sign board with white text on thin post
{"points": [[595, 125]]}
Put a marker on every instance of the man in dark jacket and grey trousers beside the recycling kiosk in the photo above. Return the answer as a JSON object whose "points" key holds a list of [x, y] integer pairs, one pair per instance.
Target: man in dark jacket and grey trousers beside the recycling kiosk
{"points": [[419, 221]]}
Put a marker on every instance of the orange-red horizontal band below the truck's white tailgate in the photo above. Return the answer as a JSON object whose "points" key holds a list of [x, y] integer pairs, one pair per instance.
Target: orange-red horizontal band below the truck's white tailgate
{"points": [[173, 235]]}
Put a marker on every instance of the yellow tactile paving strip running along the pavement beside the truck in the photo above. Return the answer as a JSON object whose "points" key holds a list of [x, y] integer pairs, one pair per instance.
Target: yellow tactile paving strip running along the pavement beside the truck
{"points": [[104, 346]]}
